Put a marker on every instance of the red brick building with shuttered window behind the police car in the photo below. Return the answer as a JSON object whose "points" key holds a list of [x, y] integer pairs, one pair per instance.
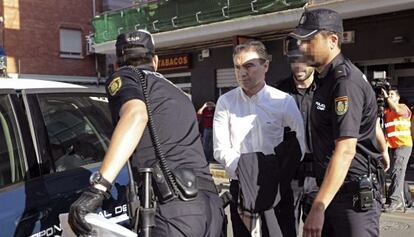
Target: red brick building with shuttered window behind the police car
{"points": [[47, 39]]}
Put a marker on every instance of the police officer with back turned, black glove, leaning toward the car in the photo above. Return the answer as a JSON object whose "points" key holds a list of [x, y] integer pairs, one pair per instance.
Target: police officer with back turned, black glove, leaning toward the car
{"points": [[176, 125]]}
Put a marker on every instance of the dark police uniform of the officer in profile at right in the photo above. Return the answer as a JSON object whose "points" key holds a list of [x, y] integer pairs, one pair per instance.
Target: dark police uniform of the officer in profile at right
{"points": [[344, 105]]}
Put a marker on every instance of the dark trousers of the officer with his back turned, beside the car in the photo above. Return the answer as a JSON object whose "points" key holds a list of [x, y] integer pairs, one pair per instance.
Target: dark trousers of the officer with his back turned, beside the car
{"points": [[201, 217]]}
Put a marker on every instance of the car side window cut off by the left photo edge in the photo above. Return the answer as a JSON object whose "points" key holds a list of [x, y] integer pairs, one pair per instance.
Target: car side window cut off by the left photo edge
{"points": [[12, 166]]}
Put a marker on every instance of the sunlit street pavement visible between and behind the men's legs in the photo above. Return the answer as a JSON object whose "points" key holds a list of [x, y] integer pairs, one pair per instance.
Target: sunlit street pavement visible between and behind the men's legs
{"points": [[396, 224]]}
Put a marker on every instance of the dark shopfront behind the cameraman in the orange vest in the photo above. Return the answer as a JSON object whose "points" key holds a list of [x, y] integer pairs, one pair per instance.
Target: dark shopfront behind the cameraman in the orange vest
{"points": [[385, 43]]}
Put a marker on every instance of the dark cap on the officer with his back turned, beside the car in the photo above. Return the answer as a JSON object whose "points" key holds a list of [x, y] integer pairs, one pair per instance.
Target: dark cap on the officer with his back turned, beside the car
{"points": [[136, 42]]}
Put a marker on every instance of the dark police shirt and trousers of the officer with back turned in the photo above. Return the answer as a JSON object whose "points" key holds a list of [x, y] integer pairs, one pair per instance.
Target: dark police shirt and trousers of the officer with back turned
{"points": [[176, 125]]}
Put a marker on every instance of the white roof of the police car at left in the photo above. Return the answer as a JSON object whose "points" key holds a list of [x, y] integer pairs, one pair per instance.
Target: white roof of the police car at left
{"points": [[21, 84]]}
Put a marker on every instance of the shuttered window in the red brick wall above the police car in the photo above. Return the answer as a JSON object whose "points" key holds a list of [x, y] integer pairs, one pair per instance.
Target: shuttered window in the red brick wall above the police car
{"points": [[70, 43]]}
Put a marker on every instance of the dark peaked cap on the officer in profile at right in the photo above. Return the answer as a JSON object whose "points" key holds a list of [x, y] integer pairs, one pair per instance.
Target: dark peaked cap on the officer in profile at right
{"points": [[315, 20]]}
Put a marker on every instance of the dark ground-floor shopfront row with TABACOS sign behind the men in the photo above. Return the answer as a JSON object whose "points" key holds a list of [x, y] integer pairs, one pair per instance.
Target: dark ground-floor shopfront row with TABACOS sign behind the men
{"points": [[374, 43]]}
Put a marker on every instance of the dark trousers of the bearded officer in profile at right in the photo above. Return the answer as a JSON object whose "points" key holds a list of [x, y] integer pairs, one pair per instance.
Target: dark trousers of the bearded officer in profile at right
{"points": [[343, 220]]}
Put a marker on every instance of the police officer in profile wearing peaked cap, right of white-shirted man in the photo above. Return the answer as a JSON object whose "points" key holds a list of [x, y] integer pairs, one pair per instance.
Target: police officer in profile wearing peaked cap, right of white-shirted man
{"points": [[343, 125]]}
